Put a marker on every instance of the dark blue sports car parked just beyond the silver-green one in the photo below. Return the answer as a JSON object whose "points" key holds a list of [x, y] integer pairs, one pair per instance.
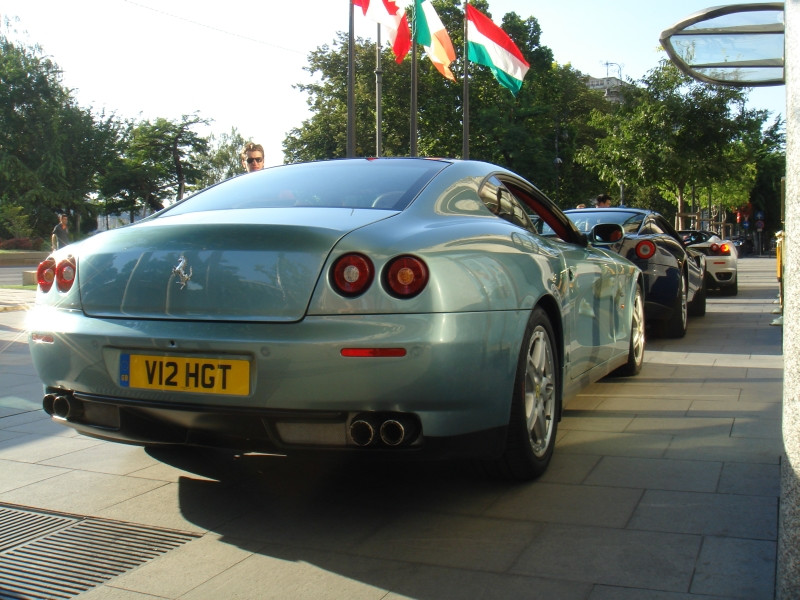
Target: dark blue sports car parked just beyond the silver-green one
{"points": [[674, 275]]}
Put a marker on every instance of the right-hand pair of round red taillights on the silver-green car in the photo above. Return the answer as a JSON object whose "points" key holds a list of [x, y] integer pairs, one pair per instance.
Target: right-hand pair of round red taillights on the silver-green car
{"points": [[405, 276]]}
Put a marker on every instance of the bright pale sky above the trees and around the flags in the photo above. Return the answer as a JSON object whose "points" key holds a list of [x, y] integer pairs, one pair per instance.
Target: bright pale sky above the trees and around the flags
{"points": [[236, 63]]}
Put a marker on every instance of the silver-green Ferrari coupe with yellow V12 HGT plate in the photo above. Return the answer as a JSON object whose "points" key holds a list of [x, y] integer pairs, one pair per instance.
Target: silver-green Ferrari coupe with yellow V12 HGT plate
{"points": [[379, 307]]}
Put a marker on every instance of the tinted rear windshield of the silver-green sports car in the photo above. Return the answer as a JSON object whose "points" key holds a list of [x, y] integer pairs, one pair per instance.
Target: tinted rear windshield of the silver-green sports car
{"points": [[387, 184]]}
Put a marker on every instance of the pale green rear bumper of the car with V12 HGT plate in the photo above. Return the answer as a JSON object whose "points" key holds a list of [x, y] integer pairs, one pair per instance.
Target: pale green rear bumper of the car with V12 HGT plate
{"points": [[455, 379]]}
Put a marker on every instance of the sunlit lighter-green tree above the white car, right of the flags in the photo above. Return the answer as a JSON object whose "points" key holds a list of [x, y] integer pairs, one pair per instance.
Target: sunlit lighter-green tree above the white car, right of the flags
{"points": [[674, 133]]}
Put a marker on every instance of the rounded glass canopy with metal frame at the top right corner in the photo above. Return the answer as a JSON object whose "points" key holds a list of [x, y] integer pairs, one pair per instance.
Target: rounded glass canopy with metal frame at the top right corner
{"points": [[740, 45]]}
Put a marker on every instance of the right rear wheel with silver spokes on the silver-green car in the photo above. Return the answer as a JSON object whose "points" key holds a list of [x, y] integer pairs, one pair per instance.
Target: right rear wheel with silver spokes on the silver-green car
{"points": [[535, 405]]}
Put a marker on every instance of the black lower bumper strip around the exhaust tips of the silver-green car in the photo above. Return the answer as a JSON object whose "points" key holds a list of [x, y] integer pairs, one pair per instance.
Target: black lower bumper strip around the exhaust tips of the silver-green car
{"points": [[280, 432]]}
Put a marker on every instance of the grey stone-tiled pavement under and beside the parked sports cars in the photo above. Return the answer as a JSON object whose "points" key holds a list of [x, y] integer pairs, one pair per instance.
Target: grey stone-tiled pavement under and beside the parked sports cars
{"points": [[662, 486]]}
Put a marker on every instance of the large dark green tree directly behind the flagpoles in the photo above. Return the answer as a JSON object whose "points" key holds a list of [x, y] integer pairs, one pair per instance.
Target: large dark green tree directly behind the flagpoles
{"points": [[547, 120]]}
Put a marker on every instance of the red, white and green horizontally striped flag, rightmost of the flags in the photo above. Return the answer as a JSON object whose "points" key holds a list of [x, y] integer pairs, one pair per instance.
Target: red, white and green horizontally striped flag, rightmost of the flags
{"points": [[489, 45]]}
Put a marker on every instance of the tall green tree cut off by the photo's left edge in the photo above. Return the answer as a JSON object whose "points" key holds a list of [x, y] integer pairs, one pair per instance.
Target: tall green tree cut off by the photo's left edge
{"points": [[51, 150]]}
